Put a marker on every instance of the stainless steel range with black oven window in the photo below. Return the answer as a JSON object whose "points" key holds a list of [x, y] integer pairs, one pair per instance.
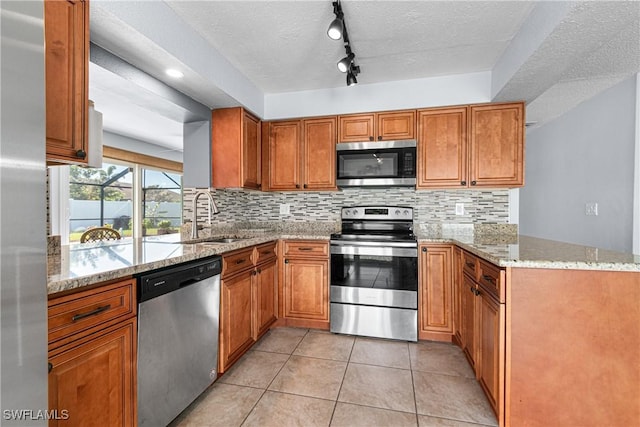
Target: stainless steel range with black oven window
{"points": [[374, 273]]}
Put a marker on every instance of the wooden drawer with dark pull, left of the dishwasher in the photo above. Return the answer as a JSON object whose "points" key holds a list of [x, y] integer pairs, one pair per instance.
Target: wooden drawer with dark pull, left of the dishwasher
{"points": [[83, 311]]}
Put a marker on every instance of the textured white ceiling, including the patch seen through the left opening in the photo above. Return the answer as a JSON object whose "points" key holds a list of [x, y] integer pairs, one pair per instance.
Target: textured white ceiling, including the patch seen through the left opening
{"points": [[231, 50]]}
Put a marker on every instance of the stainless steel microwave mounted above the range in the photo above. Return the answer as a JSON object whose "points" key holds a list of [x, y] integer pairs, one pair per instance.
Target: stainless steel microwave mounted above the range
{"points": [[376, 164]]}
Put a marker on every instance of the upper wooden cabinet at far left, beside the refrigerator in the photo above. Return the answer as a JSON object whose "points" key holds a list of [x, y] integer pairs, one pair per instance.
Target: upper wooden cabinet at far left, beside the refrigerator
{"points": [[66, 26]]}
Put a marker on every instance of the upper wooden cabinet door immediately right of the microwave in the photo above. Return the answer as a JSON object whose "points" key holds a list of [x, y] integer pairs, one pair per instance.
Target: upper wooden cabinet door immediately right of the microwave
{"points": [[442, 148]]}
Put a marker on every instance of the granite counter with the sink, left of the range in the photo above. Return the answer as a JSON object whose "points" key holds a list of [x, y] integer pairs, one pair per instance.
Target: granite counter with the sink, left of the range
{"points": [[80, 265]]}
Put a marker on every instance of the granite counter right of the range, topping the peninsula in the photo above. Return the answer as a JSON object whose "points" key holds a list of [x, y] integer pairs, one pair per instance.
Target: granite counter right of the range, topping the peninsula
{"points": [[512, 250]]}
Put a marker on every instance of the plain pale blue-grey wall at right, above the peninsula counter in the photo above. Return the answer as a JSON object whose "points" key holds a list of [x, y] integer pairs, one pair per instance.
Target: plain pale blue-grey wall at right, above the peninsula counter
{"points": [[586, 155]]}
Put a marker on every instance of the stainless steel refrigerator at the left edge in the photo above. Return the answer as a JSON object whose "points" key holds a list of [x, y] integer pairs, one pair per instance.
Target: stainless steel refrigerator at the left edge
{"points": [[23, 295]]}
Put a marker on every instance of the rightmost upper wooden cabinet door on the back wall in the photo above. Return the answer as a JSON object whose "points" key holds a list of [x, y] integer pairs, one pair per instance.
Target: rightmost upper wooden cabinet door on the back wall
{"points": [[497, 145]]}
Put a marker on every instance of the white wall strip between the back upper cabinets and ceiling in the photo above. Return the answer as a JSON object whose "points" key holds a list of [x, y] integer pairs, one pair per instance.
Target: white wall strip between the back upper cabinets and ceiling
{"points": [[397, 95]]}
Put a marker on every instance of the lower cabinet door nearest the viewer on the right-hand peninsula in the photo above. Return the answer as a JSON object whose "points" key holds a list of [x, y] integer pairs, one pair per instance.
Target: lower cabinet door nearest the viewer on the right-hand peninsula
{"points": [[490, 323]]}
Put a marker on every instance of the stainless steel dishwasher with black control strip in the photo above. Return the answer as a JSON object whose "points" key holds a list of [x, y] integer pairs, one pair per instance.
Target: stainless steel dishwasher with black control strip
{"points": [[178, 320]]}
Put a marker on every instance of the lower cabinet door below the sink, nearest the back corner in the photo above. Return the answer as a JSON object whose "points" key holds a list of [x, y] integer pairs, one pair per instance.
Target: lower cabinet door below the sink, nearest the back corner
{"points": [[266, 297]]}
